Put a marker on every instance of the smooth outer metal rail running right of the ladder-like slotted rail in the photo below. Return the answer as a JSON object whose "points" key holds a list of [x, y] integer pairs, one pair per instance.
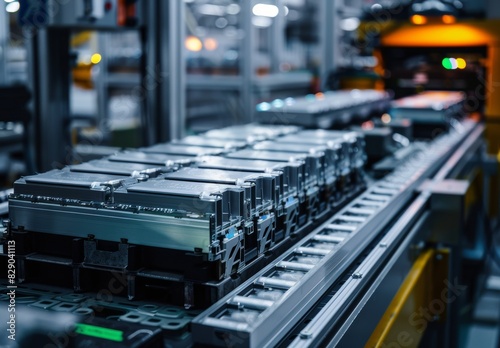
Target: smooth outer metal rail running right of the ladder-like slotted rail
{"points": [[334, 302]]}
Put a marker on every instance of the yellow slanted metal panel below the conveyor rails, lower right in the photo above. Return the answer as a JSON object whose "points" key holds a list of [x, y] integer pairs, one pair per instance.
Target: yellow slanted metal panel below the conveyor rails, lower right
{"points": [[422, 298]]}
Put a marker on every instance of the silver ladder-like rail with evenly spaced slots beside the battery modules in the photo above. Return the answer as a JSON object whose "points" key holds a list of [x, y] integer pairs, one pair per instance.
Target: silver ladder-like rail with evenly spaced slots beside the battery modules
{"points": [[258, 312]]}
